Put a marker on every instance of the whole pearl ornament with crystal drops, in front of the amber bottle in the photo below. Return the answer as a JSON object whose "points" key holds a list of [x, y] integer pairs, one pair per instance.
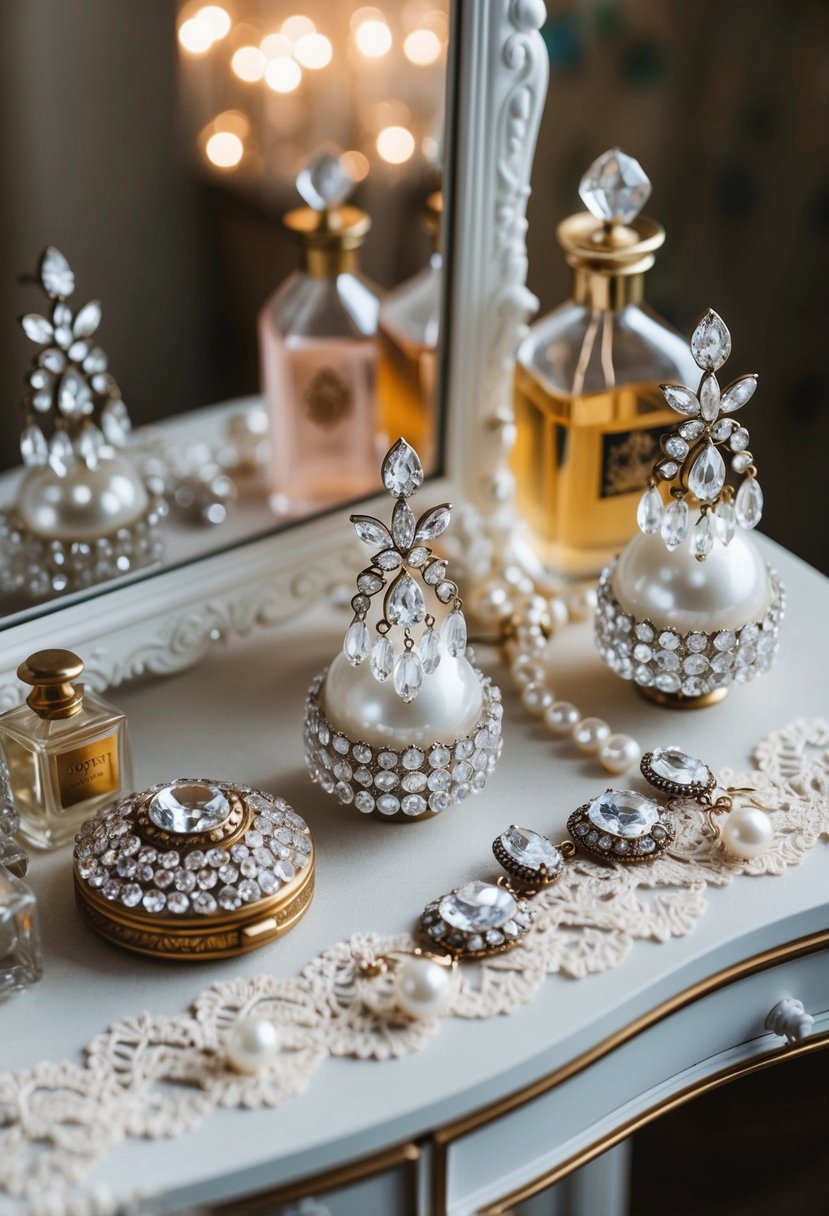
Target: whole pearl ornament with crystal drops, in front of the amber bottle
{"points": [[685, 635]]}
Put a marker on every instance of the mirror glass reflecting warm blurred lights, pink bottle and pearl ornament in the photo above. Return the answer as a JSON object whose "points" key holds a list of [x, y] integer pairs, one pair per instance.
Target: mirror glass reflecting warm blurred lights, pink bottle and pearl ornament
{"points": [[330, 120]]}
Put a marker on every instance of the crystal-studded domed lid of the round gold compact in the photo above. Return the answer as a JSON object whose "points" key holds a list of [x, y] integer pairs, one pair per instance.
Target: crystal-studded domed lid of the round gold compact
{"points": [[112, 862]]}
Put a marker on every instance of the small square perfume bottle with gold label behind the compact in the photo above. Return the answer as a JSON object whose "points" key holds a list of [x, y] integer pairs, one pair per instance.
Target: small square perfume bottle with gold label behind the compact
{"points": [[67, 751]]}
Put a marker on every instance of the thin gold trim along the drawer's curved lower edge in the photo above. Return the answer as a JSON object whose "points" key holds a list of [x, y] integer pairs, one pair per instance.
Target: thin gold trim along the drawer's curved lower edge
{"points": [[697, 1090]]}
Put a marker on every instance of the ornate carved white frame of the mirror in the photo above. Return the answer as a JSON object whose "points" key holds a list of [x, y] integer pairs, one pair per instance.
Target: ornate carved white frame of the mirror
{"points": [[166, 622]]}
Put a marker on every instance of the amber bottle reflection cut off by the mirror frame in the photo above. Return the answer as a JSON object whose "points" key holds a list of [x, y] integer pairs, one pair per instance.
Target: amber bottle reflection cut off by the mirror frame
{"points": [[409, 331]]}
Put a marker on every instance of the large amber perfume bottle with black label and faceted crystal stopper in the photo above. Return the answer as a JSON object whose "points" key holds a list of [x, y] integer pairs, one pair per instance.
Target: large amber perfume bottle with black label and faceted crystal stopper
{"points": [[589, 413]]}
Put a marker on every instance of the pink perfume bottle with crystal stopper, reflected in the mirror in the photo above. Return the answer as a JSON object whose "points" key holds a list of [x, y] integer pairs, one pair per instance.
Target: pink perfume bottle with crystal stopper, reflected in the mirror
{"points": [[318, 341]]}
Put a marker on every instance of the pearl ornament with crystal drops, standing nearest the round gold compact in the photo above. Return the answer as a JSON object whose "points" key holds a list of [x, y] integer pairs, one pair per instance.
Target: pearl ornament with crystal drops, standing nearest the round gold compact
{"points": [[403, 725]]}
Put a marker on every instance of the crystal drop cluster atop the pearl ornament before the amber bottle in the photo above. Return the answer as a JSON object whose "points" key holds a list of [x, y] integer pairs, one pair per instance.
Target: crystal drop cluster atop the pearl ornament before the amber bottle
{"points": [[692, 460]]}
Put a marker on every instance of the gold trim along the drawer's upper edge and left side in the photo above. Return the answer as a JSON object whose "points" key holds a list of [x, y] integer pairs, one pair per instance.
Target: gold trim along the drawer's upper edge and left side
{"points": [[445, 1136]]}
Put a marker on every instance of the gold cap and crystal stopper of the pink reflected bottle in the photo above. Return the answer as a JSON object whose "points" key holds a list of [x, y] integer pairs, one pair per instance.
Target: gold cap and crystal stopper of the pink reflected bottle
{"points": [[329, 230]]}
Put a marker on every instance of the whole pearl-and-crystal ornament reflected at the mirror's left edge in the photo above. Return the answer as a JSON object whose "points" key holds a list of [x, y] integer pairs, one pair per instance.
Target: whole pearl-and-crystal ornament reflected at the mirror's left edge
{"points": [[83, 513]]}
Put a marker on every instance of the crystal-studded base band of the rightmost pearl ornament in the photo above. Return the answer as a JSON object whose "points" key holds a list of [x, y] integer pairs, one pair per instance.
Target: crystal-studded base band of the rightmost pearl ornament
{"points": [[685, 665]]}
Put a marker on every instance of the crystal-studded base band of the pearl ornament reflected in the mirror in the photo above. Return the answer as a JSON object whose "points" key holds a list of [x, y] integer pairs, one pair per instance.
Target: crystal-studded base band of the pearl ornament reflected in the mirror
{"points": [[42, 568]]}
